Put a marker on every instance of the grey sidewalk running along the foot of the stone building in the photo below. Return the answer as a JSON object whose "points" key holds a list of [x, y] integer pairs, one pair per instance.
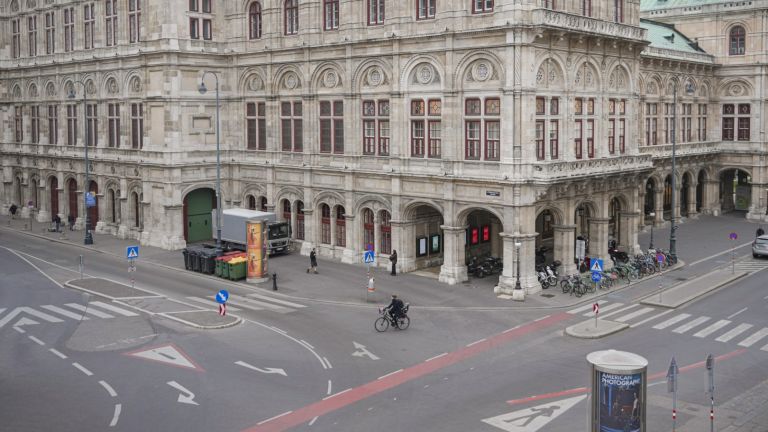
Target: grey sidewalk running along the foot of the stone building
{"points": [[344, 283]]}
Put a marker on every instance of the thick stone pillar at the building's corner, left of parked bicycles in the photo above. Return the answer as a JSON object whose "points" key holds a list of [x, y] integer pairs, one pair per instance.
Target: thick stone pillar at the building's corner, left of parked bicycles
{"points": [[528, 281]]}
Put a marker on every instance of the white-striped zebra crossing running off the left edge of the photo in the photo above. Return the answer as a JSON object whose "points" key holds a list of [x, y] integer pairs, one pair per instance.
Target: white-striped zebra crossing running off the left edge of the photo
{"points": [[55, 314]]}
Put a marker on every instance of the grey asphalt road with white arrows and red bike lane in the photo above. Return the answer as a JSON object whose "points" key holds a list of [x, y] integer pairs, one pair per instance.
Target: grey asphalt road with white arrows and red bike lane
{"points": [[322, 367]]}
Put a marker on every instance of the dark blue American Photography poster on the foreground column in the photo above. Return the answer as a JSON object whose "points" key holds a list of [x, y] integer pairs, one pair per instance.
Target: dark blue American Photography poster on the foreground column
{"points": [[620, 402]]}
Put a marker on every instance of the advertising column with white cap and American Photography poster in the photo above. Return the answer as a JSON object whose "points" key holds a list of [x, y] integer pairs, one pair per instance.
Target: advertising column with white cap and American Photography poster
{"points": [[619, 381]]}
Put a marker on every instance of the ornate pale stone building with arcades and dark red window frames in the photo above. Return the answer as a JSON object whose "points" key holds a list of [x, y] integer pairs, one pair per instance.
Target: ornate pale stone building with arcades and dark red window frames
{"points": [[439, 129]]}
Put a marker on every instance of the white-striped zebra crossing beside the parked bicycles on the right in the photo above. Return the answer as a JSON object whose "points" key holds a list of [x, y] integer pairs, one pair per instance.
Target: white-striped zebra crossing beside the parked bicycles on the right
{"points": [[726, 331]]}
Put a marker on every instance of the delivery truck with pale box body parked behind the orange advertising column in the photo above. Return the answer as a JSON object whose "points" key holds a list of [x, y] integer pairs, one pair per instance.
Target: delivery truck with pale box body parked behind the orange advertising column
{"points": [[233, 229]]}
